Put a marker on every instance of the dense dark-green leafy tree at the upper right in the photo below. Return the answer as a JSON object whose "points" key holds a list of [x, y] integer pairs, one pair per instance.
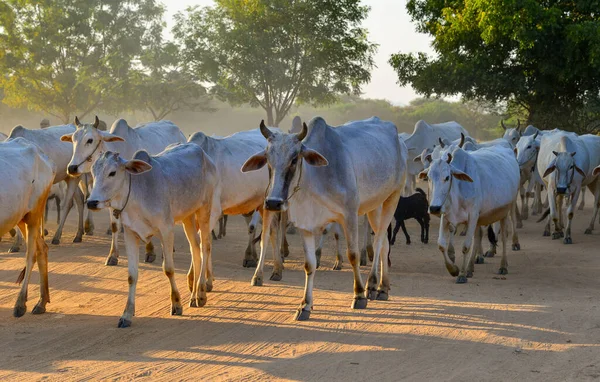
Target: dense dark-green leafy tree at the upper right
{"points": [[543, 57]]}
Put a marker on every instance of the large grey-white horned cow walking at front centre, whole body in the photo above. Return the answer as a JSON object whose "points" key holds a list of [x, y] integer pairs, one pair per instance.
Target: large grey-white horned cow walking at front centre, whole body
{"points": [[336, 175]]}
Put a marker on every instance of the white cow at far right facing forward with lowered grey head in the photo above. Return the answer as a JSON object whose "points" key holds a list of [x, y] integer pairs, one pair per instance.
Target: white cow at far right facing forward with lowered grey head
{"points": [[564, 162]]}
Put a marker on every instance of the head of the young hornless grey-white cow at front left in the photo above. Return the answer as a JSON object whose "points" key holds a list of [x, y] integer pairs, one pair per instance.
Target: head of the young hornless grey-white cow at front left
{"points": [[112, 175]]}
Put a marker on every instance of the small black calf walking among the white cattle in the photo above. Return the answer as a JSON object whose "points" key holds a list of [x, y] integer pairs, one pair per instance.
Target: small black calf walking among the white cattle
{"points": [[412, 207]]}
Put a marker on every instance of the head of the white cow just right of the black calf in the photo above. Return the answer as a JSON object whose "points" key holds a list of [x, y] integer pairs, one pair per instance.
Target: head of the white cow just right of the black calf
{"points": [[441, 174]]}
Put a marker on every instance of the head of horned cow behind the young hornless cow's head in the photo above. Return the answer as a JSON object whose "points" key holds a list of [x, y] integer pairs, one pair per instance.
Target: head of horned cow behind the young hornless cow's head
{"points": [[87, 146]]}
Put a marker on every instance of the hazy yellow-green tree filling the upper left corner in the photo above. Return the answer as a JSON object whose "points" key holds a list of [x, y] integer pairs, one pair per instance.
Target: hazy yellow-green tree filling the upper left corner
{"points": [[67, 56]]}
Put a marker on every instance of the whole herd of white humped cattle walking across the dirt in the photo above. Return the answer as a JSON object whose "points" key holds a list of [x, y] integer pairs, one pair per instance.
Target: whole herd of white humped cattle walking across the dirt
{"points": [[315, 176]]}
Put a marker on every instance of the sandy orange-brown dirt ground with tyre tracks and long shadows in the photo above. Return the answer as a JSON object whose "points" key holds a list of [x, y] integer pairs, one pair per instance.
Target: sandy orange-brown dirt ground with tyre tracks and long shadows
{"points": [[541, 322]]}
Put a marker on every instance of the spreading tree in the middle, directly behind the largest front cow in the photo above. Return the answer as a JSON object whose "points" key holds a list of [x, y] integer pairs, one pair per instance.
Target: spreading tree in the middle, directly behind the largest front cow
{"points": [[273, 53]]}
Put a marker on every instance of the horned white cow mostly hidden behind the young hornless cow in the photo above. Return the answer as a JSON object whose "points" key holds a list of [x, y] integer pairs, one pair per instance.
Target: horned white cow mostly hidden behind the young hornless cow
{"points": [[88, 144]]}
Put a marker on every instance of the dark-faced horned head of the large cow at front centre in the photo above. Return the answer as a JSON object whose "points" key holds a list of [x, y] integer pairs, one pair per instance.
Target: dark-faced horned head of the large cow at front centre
{"points": [[284, 155]]}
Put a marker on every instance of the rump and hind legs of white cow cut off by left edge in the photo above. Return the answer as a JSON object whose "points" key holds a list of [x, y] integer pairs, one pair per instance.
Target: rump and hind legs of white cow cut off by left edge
{"points": [[27, 175]]}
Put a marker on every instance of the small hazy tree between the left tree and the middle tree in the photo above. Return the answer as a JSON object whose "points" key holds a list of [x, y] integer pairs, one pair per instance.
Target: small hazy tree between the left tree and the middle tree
{"points": [[161, 85]]}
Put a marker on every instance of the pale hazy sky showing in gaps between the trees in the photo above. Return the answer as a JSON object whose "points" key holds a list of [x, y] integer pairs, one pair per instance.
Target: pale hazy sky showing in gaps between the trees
{"points": [[388, 25]]}
